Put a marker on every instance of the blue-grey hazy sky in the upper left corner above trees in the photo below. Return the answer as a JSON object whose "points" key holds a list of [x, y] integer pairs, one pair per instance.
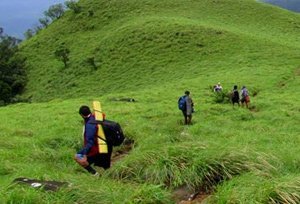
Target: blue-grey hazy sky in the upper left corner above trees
{"points": [[16, 16]]}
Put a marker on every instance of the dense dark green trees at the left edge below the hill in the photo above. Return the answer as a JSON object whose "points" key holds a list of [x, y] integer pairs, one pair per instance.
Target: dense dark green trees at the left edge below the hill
{"points": [[12, 72]]}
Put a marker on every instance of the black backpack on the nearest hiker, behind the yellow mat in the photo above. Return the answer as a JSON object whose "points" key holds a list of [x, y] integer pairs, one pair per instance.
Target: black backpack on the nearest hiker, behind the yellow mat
{"points": [[113, 132]]}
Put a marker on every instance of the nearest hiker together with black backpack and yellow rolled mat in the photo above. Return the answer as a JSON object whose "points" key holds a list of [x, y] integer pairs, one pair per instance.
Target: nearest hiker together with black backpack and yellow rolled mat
{"points": [[99, 138]]}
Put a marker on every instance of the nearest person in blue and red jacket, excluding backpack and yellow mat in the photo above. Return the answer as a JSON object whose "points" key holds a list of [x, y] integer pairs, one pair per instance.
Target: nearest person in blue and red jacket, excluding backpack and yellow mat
{"points": [[89, 154]]}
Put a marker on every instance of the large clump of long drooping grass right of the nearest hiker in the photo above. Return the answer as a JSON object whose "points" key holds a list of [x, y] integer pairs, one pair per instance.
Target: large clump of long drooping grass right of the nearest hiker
{"points": [[193, 165]]}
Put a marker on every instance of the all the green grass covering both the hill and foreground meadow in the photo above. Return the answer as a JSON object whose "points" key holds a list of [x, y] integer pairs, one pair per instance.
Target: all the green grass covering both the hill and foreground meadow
{"points": [[153, 51]]}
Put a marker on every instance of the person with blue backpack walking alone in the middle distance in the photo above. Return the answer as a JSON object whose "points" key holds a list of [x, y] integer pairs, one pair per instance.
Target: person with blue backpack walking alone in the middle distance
{"points": [[186, 105]]}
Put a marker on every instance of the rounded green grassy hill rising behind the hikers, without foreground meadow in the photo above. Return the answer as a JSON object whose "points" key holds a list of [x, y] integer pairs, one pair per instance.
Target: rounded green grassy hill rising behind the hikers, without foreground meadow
{"points": [[152, 40]]}
